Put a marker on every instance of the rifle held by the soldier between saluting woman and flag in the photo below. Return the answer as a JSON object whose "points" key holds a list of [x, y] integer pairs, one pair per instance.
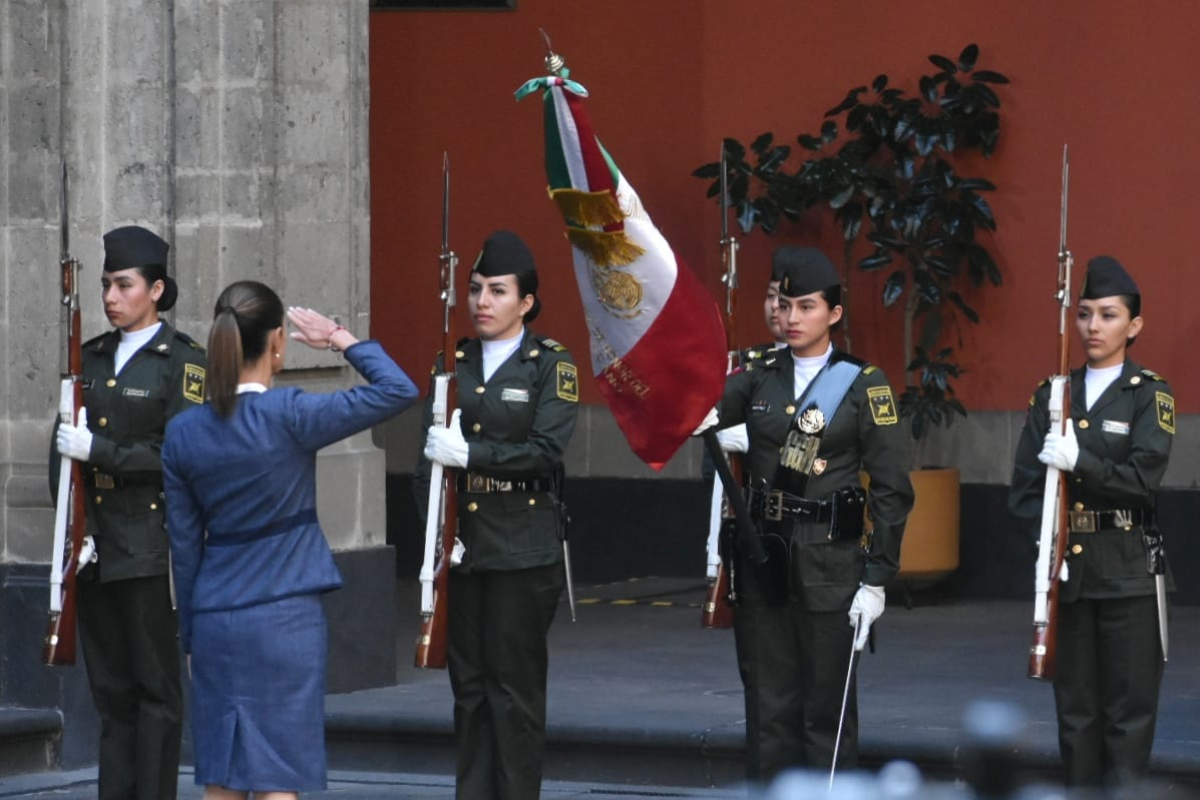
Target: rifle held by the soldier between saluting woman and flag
{"points": [[442, 514]]}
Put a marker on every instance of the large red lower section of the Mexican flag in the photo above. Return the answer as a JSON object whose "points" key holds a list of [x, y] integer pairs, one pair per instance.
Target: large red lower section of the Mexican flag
{"points": [[668, 383]]}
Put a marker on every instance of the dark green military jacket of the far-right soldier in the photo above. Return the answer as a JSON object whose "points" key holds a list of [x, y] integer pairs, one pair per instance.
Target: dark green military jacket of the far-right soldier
{"points": [[1125, 442]]}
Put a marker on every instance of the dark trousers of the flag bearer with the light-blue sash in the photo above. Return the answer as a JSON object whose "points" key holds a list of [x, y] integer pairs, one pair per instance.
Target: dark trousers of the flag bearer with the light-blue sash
{"points": [[794, 665]]}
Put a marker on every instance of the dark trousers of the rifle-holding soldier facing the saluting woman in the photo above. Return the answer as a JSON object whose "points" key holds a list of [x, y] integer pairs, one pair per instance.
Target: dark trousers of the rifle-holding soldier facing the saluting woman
{"points": [[499, 661]]}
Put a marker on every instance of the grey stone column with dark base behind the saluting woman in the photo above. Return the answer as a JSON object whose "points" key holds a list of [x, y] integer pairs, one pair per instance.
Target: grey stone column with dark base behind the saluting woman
{"points": [[237, 130]]}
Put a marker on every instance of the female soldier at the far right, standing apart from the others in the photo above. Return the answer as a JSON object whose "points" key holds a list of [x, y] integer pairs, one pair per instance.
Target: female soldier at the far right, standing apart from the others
{"points": [[1123, 423]]}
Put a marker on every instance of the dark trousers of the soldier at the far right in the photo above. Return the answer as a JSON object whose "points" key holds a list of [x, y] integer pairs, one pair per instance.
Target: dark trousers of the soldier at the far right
{"points": [[1106, 688]]}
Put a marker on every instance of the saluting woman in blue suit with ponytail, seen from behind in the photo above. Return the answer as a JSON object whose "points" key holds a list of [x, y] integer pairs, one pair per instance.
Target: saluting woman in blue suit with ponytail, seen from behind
{"points": [[249, 556]]}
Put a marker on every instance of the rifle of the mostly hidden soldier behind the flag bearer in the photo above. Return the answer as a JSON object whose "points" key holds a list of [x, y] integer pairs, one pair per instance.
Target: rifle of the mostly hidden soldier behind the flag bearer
{"points": [[718, 609]]}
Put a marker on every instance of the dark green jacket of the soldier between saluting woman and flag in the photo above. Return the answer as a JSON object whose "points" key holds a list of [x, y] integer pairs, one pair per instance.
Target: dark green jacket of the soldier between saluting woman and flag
{"points": [[517, 426]]}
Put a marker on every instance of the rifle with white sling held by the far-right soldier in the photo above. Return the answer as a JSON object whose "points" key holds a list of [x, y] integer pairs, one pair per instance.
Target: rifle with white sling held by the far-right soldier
{"points": [[1053, 540]]}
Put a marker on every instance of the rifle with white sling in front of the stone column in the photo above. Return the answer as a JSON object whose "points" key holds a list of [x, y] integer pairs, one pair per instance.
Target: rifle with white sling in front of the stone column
{"points": [[73, 549]]}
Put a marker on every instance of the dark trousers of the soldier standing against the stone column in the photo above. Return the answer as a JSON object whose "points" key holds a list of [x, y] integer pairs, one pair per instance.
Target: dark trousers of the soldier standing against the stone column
{"points": [[130, 637]]}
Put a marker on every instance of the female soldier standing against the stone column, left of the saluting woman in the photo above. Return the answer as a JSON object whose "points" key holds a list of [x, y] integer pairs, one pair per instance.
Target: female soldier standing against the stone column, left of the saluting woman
{"points": [[136, 378]]}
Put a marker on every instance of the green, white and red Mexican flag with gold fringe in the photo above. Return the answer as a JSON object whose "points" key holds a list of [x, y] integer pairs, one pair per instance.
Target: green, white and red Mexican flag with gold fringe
{"points": [[658, 346]]}
